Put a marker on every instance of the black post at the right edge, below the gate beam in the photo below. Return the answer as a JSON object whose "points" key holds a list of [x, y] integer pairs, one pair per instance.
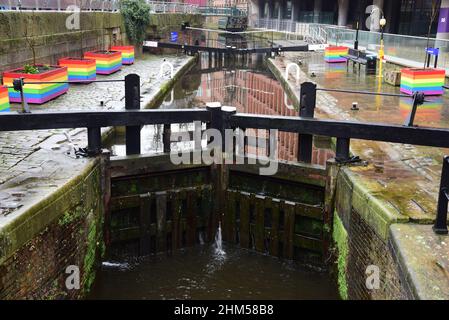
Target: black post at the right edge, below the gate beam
{"points": [[440, 226]]}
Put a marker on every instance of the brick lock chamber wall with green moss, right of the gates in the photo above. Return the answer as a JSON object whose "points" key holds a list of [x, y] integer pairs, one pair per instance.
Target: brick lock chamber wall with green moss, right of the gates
{"points": [[362, 239]]}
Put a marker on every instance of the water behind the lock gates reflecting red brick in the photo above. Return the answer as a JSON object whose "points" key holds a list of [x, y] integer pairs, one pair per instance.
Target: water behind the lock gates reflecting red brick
{"points": [[241, 82]]}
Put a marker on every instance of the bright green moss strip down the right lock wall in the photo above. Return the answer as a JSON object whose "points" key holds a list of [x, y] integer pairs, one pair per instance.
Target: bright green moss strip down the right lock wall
{"points": [[340, 239]]}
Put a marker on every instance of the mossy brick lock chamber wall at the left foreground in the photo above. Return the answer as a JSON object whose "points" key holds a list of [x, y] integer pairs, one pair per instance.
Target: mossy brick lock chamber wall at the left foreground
{"points": [[64, 230]]}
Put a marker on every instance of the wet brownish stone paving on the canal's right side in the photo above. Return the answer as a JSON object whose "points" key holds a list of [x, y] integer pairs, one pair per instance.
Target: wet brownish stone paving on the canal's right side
{"points": [[405, 176]]}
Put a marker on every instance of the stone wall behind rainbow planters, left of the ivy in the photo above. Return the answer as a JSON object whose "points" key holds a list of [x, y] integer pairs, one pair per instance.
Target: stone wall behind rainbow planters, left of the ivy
{"points": [[48, 34]]}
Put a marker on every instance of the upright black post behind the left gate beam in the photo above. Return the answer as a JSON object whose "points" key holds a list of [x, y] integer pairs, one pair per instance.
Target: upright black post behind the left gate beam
{"points": [[132, 102]]}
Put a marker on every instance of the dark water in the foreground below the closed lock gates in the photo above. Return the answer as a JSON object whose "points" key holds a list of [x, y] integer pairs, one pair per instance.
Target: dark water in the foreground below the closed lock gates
{"points": [[199, 273]]}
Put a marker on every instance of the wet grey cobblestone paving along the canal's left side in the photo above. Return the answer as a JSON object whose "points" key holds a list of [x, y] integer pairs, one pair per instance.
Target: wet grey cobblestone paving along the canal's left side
{"points": [[35, 163]]}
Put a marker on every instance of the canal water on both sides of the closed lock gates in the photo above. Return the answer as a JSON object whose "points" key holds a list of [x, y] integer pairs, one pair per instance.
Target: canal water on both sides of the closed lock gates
{"points": [[201, 273]]}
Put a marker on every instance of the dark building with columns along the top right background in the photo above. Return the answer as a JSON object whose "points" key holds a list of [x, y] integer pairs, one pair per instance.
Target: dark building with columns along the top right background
{"points": [[408, 17]]}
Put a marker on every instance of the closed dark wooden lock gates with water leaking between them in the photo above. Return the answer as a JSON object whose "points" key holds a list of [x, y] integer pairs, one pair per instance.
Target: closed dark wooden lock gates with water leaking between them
{"points": [[157, 206]]}
